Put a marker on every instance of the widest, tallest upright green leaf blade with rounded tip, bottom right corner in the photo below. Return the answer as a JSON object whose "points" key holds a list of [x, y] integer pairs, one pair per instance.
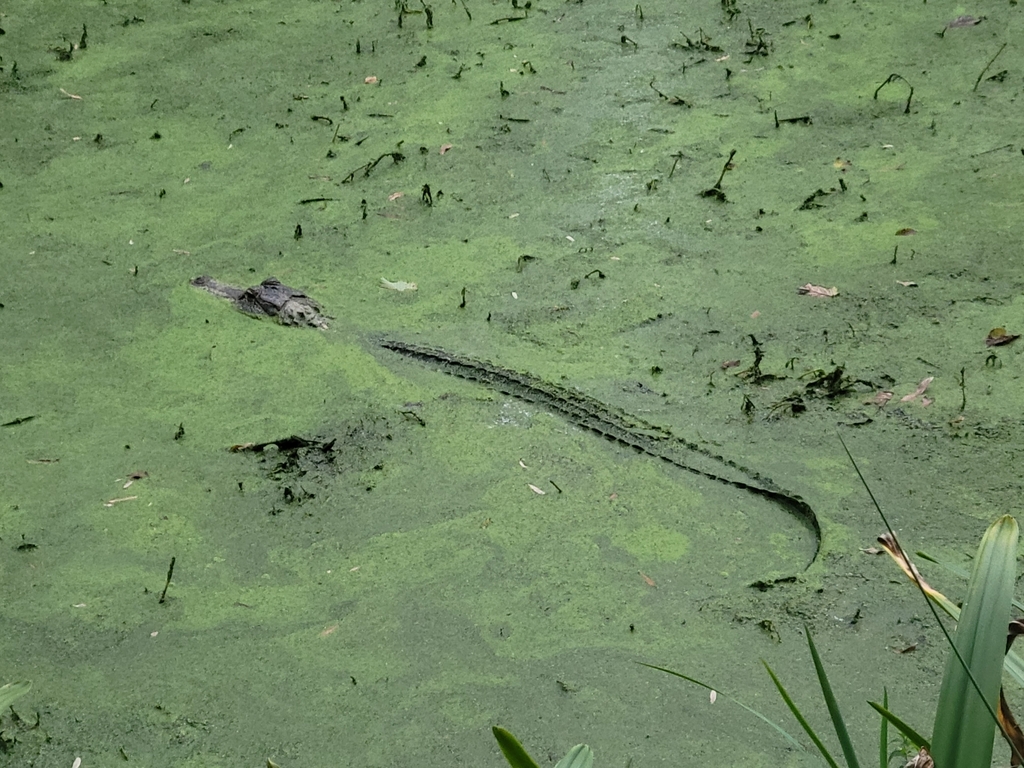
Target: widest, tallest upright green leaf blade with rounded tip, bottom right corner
{"points": [[965, 724]]}
